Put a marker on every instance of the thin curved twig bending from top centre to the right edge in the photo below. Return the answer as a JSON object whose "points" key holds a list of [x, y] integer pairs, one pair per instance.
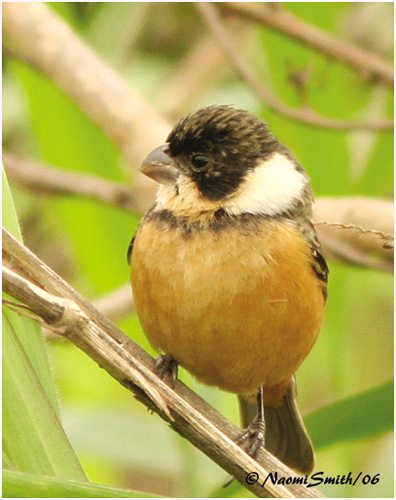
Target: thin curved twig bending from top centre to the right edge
{"points": [[307, 116]]}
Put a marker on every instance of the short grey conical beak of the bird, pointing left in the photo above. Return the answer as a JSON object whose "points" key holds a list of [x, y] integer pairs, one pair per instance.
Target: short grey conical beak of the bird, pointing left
{"points": [[159, 166]]}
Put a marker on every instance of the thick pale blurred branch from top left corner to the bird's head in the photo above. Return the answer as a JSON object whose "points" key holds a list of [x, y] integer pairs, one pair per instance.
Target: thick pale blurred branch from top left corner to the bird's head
{"points": [[43, 39]]}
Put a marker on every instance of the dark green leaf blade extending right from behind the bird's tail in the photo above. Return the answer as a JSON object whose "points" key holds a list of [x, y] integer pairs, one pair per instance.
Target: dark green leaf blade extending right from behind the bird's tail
{"points": [[362, 416]]}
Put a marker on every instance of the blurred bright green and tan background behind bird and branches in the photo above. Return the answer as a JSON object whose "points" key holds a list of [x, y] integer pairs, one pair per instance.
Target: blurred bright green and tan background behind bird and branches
{"points": [[168, 54]]}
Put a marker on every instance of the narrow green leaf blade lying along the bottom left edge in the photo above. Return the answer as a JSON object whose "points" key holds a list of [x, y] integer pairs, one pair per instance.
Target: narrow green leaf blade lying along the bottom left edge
{"points": [[22, 485]]}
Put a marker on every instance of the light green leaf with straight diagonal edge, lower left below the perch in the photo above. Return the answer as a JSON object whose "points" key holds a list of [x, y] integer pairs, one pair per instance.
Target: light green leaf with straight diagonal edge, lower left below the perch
{"points": [[33, 438]]}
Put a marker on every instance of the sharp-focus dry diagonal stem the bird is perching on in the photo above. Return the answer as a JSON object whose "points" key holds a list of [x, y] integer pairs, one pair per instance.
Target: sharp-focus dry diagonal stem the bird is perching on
{"points": [[70, 315]]}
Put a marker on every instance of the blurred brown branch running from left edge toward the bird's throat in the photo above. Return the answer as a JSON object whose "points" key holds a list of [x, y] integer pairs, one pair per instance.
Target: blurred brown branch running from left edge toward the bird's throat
{"points": [[57, 181]]}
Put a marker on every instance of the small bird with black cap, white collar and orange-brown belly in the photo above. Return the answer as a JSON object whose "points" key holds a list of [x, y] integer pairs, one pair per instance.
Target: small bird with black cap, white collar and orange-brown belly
{"points": [[228, 276]]}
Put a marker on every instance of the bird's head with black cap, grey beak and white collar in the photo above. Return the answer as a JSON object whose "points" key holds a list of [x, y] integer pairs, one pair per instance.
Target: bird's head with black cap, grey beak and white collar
{"points": [[226, 158]]}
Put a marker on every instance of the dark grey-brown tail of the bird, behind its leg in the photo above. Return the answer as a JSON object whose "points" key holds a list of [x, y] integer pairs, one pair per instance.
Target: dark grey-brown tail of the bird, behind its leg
{"points": [[286, 436]]}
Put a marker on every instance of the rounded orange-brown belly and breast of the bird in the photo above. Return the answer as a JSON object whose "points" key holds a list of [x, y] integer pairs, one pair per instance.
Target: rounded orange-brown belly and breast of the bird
{"points": [[237, 311]]}
